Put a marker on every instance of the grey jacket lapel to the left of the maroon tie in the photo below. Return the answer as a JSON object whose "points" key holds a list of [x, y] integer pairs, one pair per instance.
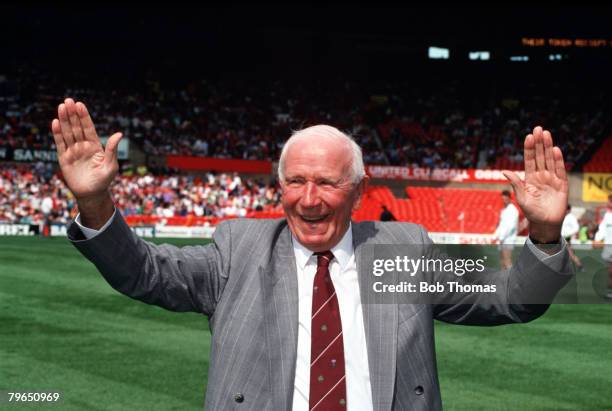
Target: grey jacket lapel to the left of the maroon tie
{"points": [[280, 292]]}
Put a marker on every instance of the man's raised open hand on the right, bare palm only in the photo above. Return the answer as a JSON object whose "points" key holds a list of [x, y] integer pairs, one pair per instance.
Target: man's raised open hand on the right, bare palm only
{"points": [[543, 194]]}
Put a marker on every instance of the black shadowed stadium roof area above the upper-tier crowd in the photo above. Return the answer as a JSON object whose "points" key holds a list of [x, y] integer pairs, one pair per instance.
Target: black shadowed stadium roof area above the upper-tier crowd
{"points": [[279, 34]]}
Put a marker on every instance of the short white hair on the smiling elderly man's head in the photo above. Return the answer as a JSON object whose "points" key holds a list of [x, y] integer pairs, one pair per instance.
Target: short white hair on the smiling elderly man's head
{"points": [[328, 133]]}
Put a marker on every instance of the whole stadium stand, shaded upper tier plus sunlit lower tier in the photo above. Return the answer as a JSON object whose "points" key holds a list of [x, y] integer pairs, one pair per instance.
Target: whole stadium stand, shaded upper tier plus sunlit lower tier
{"points": [[396, 122]]}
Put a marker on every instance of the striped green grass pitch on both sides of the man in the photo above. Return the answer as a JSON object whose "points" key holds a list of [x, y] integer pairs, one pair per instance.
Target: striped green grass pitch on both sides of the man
{"points": [[63, 328]]}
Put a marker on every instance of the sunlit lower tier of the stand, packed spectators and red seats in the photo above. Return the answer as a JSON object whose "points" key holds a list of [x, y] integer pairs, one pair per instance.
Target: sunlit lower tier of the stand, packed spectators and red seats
{"points": [[190, 200]]}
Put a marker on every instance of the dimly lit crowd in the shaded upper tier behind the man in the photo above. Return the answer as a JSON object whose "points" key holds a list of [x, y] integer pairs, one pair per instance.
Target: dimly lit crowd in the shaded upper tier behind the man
{"points": [[396, 123]]}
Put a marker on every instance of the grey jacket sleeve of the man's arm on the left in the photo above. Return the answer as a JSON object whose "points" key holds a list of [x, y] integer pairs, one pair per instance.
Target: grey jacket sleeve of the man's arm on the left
{"points": [[190, 278]]}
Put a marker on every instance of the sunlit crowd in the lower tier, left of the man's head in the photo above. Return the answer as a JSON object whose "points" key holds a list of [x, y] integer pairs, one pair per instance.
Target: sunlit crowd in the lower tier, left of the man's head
{"points": [[34, 194]]}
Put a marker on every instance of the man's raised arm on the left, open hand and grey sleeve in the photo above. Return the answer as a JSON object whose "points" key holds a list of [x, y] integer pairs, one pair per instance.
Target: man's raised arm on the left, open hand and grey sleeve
{"points": [[185, 279]]}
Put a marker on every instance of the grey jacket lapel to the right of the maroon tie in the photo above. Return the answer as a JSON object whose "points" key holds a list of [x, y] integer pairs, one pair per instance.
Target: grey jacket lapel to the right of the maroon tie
{"points": [[380, 320]]}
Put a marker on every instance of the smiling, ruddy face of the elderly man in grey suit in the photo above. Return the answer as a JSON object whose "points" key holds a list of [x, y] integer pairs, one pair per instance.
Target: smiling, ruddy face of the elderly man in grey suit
{"points": [[319, 193]]}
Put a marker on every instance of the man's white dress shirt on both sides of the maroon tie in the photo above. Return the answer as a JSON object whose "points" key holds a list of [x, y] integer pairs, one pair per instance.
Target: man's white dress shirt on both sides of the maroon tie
{"points": [[343, 272]]}
